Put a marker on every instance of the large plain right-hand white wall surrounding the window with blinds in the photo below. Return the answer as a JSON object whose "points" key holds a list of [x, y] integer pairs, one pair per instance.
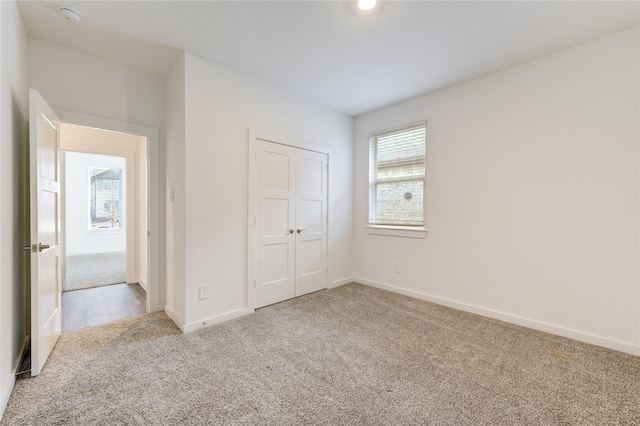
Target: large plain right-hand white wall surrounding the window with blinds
{"points": [[532, 196]]}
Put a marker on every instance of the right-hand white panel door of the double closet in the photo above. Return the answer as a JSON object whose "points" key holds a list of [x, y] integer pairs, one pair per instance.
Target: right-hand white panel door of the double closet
{"points": [[311, 222]]}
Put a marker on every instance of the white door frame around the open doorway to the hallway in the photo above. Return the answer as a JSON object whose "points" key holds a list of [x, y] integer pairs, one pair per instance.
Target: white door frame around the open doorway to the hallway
{"points": [[154, 300]]}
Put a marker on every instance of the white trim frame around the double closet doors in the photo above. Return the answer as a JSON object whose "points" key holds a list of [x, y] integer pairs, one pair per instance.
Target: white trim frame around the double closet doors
{"points": [[267, 135]]}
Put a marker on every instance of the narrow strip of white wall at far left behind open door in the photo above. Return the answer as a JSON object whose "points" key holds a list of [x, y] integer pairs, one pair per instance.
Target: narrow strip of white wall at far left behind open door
{"points": [[14, 227]]}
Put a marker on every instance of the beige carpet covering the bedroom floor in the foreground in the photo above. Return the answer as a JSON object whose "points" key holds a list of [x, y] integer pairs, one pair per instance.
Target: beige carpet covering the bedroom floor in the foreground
{"points": [[348, 356]]}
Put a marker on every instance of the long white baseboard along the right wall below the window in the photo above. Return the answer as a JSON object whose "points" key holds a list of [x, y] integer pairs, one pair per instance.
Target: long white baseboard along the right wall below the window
{"points": [[513, 319]]}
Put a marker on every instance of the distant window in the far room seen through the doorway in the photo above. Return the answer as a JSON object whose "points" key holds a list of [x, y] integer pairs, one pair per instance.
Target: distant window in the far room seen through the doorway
{"points": [[105, 196]]}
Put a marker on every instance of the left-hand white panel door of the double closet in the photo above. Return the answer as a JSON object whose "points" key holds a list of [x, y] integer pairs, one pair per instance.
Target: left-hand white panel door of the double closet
{"points": [[275, 220]]}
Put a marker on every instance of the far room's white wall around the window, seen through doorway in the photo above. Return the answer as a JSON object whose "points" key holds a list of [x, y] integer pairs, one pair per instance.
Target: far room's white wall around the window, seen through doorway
{"points": [[80, 238]]}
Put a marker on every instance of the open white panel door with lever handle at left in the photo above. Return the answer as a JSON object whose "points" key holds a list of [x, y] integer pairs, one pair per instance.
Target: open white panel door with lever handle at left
{"points": [[46, 288]]}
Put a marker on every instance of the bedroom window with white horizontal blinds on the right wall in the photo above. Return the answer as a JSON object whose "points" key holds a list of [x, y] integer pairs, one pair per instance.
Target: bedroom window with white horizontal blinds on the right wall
{"points": [[396, 177]]}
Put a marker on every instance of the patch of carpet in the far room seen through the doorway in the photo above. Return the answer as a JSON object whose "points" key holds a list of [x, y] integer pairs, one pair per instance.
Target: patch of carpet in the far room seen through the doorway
{"points": [[94, 270]]}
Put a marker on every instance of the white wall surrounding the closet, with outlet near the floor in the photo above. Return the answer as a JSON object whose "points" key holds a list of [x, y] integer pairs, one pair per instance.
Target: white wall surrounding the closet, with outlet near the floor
{"points": [[221, 107]]}
